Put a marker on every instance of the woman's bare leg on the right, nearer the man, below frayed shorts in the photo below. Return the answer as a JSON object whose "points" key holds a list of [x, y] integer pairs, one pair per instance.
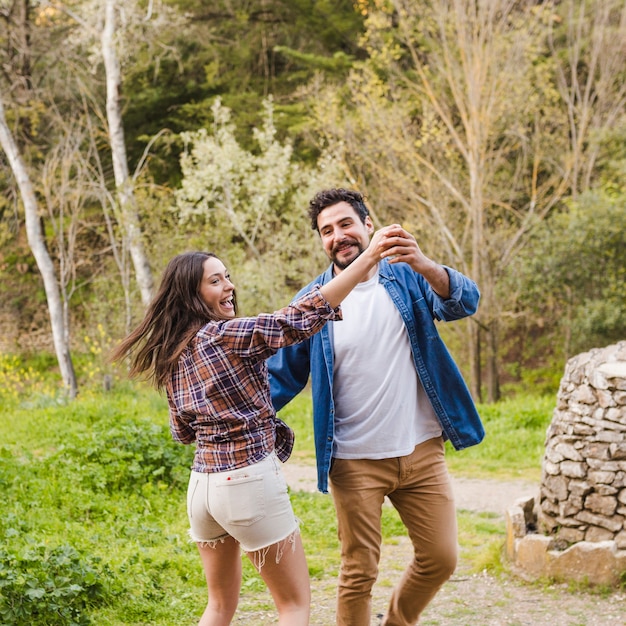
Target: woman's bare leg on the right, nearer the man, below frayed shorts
{"points": [[287, 580]]}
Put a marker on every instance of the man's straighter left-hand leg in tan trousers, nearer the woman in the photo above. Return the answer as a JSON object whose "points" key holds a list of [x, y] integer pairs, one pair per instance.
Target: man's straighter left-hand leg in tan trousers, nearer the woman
{"points": [[358, 488]]}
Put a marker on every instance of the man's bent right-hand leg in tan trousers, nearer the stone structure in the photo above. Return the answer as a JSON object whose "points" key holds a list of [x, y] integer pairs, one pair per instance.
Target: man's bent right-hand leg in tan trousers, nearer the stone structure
{"points": [[425, 502]]}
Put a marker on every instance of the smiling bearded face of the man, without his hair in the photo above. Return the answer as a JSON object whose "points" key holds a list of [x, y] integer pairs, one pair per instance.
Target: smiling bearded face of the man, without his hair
{"points": [[344, 235]]}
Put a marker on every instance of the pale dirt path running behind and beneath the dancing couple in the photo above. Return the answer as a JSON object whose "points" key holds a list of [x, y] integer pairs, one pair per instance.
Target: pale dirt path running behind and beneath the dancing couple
{"points": [[468, 599]]}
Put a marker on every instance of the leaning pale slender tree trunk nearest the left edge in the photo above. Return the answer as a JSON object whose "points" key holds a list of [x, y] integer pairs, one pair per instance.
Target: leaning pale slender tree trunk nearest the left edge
{"points": [[60, 331]]}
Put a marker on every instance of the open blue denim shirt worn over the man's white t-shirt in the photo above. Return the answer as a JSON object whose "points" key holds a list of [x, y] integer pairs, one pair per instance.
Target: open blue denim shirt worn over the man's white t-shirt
{"points": [[419, 307]]}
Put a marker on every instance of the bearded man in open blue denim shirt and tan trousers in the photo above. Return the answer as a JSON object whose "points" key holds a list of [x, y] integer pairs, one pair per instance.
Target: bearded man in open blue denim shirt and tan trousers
{"points": [[386, 394]]}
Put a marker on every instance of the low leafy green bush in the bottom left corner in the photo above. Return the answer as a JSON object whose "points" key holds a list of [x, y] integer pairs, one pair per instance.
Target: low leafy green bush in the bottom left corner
{"points": [[49, 587]]}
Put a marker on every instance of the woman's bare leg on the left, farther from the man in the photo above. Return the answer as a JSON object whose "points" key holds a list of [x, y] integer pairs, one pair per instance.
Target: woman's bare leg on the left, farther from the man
{"points": [[222, 569]]}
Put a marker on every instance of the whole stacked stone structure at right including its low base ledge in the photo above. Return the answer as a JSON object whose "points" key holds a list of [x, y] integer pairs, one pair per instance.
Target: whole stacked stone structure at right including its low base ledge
{"points": [[576, 528]]}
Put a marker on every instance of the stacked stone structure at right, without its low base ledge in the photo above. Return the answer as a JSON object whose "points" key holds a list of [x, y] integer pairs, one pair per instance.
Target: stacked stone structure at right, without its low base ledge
{"points": [[583, 485]]}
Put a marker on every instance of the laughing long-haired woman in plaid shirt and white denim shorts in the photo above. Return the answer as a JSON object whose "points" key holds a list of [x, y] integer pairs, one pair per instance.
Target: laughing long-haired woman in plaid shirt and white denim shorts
{"points": [[212, 366]]}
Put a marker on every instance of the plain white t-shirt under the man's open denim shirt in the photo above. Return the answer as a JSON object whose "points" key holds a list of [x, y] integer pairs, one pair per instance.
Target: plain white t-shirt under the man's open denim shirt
{"points": [[381, 408]]}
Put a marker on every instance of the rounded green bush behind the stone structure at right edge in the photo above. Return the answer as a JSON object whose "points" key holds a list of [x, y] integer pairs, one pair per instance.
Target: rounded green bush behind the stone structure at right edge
{"points": [[573, 276]]}
